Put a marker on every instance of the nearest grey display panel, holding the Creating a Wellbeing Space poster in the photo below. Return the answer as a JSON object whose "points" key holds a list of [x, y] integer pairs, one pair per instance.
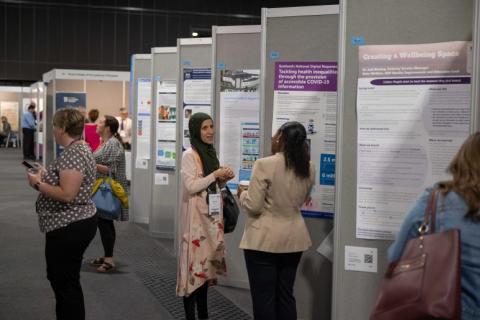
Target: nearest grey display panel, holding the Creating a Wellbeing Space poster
{"points": [[404, 108]]}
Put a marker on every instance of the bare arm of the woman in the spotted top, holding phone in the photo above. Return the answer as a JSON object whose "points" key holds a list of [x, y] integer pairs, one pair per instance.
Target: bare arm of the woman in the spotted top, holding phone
{"points": [[68, 188]]}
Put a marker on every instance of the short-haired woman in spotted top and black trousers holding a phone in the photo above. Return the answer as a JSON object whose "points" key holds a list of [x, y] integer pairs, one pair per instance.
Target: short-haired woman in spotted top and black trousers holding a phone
{"points": [[66, 212]]}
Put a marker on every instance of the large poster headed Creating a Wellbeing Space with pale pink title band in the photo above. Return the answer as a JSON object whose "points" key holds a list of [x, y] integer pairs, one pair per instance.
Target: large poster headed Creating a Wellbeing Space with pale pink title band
{"points": [[413, 108]]}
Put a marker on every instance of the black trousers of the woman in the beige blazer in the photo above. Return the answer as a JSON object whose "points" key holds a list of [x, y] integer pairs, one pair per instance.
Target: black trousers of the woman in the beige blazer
{"points": [[271, 277]]}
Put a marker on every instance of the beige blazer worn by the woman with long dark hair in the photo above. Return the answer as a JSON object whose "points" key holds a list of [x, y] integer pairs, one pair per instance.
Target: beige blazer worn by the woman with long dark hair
{"points": [[273, 201]]}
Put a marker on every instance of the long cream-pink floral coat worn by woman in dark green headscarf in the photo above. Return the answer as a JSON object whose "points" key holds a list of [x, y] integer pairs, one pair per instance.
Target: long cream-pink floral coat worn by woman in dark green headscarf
{"points": [[201, 243]]}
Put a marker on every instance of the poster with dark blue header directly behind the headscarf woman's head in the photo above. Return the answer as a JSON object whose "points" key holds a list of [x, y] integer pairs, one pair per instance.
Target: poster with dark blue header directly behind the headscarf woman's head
{"points": [[197, 84]]}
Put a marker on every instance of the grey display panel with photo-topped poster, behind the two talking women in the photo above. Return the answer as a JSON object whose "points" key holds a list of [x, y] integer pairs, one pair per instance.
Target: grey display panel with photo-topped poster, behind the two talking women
{"points": [[236, 103]]}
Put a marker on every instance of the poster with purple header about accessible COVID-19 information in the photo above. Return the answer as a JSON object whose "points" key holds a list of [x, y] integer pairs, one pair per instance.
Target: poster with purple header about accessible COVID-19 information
{"points": [[307, 92]]}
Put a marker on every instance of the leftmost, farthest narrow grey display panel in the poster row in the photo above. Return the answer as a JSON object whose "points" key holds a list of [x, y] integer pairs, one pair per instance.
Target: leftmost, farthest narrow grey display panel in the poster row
{"points": [[141, 109]]}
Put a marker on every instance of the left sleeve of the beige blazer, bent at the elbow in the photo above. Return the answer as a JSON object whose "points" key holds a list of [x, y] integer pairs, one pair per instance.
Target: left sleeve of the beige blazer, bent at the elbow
{"points": [[253, 200]]}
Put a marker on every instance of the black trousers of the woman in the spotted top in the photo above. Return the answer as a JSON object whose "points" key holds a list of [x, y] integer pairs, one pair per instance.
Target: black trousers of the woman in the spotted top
{"points": [[64, 251]]}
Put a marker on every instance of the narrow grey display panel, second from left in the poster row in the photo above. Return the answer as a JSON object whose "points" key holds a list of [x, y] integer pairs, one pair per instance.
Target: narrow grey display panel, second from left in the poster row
{"points": [[163, 177]]}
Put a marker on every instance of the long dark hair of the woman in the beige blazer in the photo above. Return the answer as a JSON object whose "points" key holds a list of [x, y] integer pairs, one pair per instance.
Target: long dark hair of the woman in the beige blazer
{"points": [[295, 148]]}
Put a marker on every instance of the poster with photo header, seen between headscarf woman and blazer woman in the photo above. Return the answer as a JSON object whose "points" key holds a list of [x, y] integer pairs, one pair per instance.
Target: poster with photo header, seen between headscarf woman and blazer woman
{"points": [[239, 116]]}
